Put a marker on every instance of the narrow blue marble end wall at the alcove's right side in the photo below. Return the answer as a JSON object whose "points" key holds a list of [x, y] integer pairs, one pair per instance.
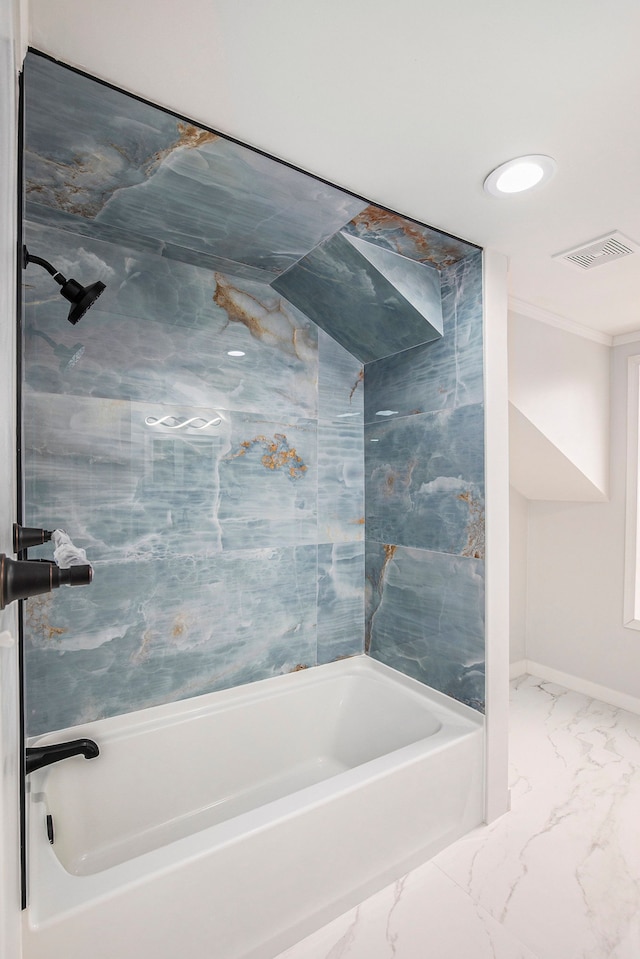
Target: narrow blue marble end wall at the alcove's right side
{"points": [[424, 468]]}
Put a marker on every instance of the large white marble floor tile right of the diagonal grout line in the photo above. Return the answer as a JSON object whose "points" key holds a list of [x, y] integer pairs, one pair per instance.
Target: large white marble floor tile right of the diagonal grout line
{"points": [[568, 883]]}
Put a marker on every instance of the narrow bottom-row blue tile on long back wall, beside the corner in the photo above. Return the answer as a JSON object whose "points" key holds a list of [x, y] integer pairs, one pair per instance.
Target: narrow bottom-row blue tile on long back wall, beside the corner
{"points": [[340, 600]]}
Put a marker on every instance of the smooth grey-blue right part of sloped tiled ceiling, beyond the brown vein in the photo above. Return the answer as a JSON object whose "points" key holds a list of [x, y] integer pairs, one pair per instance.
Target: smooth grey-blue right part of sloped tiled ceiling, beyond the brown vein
{"points": [[226, 199]]}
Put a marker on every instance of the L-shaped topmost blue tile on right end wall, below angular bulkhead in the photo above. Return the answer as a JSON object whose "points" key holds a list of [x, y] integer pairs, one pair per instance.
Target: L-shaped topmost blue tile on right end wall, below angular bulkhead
{"points": [[445, 373]]}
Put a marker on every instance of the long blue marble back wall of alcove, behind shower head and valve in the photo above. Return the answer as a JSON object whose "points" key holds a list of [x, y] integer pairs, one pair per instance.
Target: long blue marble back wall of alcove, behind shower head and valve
{"points": [[225, 550]]}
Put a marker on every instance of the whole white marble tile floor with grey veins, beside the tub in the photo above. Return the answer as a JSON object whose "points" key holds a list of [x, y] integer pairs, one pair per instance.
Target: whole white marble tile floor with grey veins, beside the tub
{"points": [[556, 878]]}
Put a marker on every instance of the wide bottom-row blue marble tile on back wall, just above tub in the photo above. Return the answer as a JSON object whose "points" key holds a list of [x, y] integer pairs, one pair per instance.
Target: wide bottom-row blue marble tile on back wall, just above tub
{"points": [[149, 632]]}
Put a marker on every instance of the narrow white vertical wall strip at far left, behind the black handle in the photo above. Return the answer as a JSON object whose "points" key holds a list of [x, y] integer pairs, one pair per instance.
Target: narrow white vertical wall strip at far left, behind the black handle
{"points": [[11, 53]]}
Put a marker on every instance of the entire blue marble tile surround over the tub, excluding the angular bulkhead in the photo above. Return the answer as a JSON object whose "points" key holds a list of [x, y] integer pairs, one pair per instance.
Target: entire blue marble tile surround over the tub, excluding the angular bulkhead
{"points": [[221, 498]]}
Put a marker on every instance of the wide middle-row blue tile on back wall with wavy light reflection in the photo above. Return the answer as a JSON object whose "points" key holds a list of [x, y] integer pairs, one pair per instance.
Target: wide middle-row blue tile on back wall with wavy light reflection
{"points": [[129, 489]]}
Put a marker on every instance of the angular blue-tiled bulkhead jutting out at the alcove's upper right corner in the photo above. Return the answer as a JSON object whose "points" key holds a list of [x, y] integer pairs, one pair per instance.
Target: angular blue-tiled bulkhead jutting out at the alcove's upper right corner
{"points": [[370, 307]]}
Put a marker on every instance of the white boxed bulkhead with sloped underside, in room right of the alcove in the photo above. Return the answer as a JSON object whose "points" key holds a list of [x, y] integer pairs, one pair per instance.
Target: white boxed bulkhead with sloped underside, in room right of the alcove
{"points": [[559, 391]]}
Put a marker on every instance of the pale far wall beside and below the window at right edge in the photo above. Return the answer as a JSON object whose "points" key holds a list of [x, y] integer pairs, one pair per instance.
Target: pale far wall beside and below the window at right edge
{"points": [[576, 573]]}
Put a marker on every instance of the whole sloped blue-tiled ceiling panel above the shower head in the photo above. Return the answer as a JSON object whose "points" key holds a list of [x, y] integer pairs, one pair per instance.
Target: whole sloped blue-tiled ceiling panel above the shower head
{"points": [[135, 168]]}
